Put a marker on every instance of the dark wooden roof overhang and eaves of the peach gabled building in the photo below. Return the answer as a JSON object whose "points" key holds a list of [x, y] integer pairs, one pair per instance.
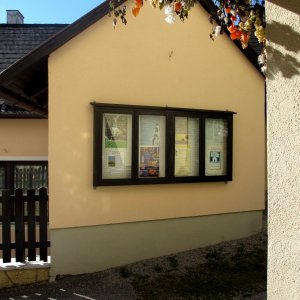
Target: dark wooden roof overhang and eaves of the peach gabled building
{"points": [[26, 81]]}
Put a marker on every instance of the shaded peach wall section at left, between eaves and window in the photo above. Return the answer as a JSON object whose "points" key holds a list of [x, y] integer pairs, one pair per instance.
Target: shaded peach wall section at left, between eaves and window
{"points": [[23, 139]]}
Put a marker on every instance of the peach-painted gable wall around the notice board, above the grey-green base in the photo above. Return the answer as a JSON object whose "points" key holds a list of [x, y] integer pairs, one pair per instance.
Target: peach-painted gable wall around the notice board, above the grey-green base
{"points": [[150, 63]]}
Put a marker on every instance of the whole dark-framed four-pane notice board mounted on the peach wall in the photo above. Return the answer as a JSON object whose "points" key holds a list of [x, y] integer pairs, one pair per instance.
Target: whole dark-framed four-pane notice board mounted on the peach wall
{"points": [[150, 145]]}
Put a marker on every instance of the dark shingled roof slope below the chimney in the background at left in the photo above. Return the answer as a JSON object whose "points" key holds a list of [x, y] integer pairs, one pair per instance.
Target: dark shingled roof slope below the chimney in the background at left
{"points": [[17, 40]]}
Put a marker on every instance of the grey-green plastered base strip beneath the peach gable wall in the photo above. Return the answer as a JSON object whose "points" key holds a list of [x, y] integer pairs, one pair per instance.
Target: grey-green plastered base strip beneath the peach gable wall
{"points": [[105, 246]]}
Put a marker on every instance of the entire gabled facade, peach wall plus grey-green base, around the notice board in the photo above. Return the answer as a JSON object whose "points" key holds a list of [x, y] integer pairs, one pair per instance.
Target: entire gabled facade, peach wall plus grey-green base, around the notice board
{"points": [[148, 62]]}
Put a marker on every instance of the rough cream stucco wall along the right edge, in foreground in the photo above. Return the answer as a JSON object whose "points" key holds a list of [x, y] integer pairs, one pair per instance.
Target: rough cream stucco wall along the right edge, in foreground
{"points": [[283, 115]]}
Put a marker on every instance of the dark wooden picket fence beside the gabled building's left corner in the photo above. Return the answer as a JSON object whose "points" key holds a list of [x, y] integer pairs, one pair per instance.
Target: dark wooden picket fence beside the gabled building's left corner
{"points": [[28, 214]]}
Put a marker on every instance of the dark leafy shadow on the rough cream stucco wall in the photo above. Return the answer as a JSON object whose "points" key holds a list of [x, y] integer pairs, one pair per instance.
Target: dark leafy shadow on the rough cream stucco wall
{"points": [[284, 62]]}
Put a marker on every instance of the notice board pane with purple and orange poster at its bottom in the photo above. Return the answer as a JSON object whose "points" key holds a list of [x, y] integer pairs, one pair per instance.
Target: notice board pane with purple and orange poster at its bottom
{"points": [[152, 146]]}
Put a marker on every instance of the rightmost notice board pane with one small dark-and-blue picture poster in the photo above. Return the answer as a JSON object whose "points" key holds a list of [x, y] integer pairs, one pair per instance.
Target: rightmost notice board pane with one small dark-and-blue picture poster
{"points": [[216, 134]]}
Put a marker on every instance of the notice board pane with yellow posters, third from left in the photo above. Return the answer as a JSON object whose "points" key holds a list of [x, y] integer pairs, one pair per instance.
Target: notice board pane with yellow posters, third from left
{"points": [[186, 146]]}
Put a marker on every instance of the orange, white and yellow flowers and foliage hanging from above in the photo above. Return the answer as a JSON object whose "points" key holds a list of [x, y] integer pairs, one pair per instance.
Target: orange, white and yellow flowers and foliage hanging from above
{"points": [[241, 18]]}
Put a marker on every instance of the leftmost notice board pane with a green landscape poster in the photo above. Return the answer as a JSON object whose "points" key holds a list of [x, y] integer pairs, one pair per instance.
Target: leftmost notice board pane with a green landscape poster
{"points": [[116, 146]]}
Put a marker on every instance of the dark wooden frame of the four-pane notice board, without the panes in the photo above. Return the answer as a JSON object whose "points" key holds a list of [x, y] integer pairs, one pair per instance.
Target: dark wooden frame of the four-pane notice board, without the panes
{"points": [[171, 114]]}
